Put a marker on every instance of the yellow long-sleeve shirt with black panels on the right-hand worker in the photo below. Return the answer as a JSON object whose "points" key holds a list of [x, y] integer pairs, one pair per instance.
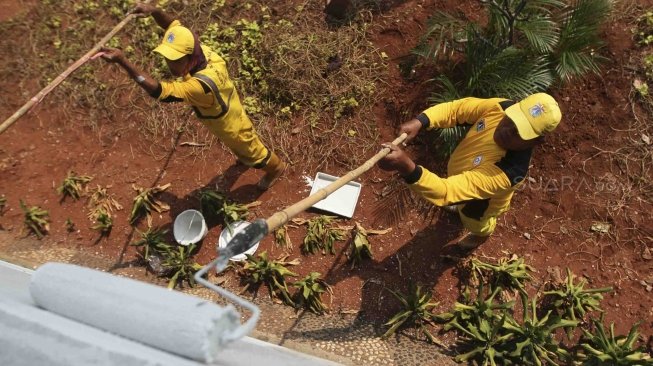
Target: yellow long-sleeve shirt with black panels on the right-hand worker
{"points": [[481, 174]]}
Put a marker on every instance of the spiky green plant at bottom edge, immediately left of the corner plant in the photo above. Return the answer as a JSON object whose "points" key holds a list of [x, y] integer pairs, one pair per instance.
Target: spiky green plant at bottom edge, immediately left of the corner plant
{"points": [[533, 342]]}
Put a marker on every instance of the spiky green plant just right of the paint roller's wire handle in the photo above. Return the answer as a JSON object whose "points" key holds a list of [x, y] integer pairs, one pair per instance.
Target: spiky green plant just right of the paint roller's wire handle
{"points": [[272, 273]]}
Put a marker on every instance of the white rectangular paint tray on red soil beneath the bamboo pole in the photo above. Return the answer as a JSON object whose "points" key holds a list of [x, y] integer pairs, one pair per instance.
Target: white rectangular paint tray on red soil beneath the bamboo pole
{"points": [[341, 202]]}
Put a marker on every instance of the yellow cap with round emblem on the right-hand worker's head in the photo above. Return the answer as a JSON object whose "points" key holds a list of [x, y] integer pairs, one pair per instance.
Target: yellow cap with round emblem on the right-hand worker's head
{"points": [[534, 116]]}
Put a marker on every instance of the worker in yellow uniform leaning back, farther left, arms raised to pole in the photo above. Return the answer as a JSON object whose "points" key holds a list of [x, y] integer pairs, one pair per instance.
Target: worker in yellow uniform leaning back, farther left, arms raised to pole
{"points": [[206, 86]]}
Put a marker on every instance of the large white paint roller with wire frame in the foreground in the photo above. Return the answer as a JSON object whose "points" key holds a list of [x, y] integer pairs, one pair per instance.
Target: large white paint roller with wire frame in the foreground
{"points": [[168, 320]]}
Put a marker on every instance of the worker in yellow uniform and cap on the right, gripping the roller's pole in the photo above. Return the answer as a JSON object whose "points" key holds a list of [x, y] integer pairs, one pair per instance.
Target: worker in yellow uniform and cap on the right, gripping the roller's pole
{"points": [[487, 165]]}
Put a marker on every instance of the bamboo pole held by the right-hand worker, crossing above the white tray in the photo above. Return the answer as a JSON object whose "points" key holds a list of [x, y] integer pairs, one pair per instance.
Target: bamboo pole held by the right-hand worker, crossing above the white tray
{"points": [[281, 217]]}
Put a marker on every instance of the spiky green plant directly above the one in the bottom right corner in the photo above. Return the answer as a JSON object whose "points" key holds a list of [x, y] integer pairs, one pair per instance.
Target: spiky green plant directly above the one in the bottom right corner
{"points": [[572, 301]]}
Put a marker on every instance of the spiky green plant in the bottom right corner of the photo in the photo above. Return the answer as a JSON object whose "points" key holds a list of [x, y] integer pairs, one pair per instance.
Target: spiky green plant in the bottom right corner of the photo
{"points": [[606, 349]]}
